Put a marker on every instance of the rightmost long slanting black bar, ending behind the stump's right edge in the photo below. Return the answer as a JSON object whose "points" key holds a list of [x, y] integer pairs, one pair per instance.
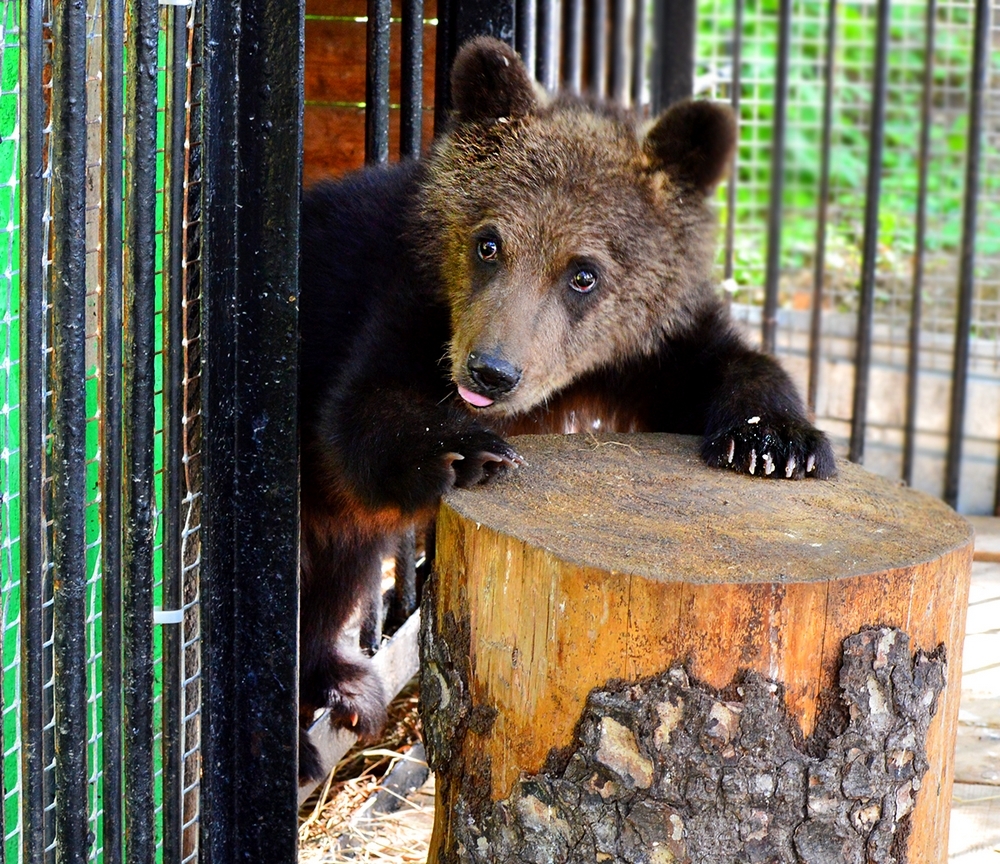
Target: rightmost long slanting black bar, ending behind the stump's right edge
{"points": [[967, 254]]}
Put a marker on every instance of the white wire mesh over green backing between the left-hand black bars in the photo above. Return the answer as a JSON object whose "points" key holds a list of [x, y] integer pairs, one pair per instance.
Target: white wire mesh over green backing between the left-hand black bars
{"points": [[16, 845]]}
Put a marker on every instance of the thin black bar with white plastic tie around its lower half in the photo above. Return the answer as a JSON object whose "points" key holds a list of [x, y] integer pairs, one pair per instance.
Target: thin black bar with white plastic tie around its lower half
{"points": [[173, 439]]}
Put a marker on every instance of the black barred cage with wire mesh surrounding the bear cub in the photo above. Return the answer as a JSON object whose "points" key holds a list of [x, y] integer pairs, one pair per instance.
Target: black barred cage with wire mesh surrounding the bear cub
{"points": [[150, 159]]}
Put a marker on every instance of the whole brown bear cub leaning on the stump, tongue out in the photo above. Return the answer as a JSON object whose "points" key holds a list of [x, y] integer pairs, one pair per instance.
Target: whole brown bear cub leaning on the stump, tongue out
{"points": [[546, 268]]}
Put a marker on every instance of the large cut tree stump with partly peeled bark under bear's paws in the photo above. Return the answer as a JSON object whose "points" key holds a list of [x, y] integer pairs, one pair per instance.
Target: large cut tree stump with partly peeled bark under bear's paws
{"points": [[630, 657]]}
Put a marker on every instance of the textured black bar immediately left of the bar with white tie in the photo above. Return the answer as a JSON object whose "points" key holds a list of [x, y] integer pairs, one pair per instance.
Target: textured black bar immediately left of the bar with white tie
{"points": [[142, 17]]}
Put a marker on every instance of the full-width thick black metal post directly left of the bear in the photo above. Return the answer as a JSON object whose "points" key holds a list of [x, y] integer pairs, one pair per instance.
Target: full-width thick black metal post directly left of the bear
{"points": [[249, 729]]}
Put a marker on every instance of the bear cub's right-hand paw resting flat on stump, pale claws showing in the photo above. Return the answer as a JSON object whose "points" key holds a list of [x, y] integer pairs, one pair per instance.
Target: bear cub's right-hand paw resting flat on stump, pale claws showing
{"points": [[788, 449]]}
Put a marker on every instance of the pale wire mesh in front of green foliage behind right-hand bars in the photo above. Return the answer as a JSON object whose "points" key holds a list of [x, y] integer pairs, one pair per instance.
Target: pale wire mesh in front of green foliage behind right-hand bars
{"points": [[854, 60]]}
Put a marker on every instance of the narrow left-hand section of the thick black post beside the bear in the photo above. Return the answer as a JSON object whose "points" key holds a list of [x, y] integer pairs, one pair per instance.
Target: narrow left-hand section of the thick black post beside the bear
{"points": [[220, 216]]}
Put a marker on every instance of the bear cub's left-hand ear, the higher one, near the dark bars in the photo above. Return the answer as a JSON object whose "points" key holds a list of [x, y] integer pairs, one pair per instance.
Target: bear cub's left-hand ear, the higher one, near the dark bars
{"points": [[488, 81]]}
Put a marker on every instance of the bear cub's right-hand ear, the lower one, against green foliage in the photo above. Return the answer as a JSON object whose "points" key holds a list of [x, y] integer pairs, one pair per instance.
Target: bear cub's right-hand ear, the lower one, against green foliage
{"points": [[693, 142]]}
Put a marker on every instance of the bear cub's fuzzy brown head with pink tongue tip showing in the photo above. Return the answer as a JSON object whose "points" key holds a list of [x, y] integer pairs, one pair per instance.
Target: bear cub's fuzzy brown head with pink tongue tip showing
{"points": [[569, 239]]}
